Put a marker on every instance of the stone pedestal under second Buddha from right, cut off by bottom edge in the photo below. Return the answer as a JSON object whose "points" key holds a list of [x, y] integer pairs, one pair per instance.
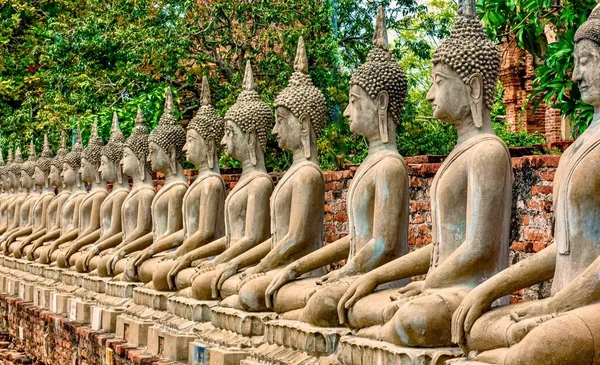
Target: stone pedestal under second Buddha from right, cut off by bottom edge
{"points": [[360, 351]]}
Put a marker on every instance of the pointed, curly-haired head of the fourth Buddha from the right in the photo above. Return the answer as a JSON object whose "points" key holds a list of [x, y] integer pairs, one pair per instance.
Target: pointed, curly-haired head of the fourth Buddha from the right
{"points": [[300, 109]]}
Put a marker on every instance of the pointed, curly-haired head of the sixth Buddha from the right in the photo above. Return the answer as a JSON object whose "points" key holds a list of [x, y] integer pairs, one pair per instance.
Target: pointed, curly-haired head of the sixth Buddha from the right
{"points": [[204, 133]]}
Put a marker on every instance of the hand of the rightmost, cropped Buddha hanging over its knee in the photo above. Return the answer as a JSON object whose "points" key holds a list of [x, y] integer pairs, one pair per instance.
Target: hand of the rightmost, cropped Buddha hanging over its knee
{"points": [[470, 310]]}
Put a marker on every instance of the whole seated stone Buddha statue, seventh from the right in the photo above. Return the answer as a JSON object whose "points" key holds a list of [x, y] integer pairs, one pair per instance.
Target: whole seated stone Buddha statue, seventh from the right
{"points": [[166, 156]]}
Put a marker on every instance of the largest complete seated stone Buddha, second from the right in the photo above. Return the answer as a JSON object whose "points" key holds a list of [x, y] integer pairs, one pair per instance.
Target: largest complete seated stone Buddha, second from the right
{"points": [[470, 205]]}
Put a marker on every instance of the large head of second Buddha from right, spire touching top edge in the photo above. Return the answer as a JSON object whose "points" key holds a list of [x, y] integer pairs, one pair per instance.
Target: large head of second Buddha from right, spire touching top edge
{"points": [[465, 71]]}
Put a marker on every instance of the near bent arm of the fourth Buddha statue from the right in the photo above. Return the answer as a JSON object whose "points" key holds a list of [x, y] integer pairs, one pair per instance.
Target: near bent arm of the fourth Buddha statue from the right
{"points": [[307, 198]]}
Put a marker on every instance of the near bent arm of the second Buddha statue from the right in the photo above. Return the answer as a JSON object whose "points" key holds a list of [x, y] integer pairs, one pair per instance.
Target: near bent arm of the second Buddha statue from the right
{"points": [[487, 204]]}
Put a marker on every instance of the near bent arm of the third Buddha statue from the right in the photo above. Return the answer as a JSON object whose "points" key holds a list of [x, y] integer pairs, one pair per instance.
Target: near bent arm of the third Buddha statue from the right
{"points": [[389, 209]]}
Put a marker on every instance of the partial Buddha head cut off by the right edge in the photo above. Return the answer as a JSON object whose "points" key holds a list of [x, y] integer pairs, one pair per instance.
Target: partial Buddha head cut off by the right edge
{"points": [[587, 59]]}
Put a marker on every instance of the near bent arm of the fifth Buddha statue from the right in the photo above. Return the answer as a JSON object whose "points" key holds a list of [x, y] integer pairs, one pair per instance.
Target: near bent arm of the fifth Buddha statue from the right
{"points": [[257, 221]]}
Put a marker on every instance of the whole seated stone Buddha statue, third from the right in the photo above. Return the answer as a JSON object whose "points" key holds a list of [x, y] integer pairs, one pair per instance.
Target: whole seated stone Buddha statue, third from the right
{"points": [[377, 201]]}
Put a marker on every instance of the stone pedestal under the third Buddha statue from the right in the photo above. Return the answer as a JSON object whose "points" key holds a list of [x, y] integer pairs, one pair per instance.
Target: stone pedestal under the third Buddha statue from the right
{"points": [[292, 340]]}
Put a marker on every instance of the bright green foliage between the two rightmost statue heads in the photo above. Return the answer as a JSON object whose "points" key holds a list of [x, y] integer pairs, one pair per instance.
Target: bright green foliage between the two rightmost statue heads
{"points": [[529, 21]]}
